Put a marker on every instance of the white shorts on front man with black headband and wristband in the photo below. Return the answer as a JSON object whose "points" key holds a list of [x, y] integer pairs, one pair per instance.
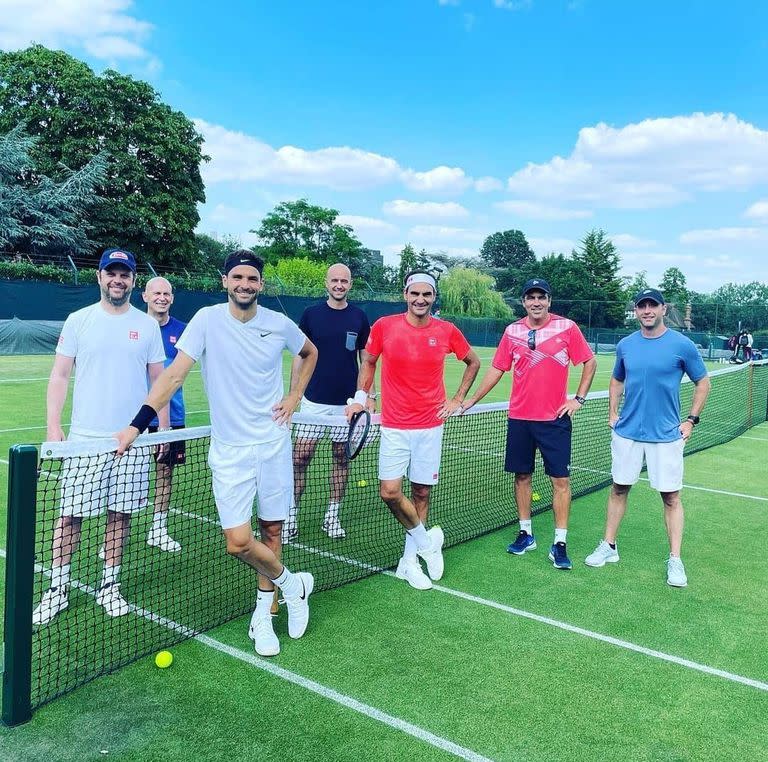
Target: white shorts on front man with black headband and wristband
{"points": [[240, 472]]}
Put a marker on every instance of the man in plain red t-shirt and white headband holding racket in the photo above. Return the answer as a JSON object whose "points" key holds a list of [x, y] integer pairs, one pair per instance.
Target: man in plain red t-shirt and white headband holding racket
{"points": [[414, 407]]}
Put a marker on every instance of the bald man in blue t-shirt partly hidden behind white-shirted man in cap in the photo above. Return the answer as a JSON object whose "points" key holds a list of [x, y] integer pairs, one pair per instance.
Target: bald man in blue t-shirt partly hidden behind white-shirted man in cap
{"points": [[158, 295]]}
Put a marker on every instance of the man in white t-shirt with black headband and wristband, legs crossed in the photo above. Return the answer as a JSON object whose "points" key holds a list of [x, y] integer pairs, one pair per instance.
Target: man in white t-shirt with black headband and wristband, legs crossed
{"points": [[240, 347]]}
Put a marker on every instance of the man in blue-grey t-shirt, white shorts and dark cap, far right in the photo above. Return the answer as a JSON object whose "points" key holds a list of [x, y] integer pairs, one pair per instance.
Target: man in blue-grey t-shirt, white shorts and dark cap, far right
{"points": [[650, 364]]}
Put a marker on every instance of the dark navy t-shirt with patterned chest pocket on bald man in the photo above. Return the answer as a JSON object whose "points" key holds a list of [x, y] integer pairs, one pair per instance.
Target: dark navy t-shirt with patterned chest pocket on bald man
{"points": [[338, 336]]}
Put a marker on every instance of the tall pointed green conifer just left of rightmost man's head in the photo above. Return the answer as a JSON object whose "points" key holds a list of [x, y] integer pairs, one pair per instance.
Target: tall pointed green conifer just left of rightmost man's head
{"points": [[599, 262]]}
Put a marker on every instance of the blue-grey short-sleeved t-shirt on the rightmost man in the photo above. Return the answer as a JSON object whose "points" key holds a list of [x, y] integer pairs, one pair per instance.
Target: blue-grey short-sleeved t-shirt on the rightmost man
{"points": [[652, 369]]}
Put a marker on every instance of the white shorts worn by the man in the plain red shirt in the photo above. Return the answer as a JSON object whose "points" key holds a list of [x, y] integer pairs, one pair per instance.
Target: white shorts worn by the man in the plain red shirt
{"points": [[412, 451]]}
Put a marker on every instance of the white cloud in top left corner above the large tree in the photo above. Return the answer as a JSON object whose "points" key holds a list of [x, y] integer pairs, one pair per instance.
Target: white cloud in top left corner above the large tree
{"points": [[105, 29]]}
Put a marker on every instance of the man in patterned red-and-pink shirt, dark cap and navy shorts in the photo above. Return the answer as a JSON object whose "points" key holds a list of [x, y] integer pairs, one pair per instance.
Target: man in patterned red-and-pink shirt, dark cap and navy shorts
{"points": [[538, 349]]}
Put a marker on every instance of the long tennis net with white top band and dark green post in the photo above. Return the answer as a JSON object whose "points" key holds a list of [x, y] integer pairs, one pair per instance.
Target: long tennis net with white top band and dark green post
{"points": [[174, 595]]}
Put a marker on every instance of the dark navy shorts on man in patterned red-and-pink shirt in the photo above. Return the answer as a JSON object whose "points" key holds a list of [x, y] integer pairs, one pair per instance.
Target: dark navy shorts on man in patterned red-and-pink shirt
{"points": [[552, 438]]}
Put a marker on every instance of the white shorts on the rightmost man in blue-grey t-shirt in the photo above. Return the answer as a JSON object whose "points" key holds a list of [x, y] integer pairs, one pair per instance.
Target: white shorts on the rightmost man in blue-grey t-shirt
{"points": [[663, 459]]}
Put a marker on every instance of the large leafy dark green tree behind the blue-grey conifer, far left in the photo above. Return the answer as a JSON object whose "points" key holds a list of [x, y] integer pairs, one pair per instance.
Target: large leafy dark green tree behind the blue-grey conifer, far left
{"points": [[152, 187]]}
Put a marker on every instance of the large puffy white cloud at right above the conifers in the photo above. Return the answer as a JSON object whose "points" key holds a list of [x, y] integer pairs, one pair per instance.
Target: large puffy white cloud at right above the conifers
{"points": [[666, 161]]}
